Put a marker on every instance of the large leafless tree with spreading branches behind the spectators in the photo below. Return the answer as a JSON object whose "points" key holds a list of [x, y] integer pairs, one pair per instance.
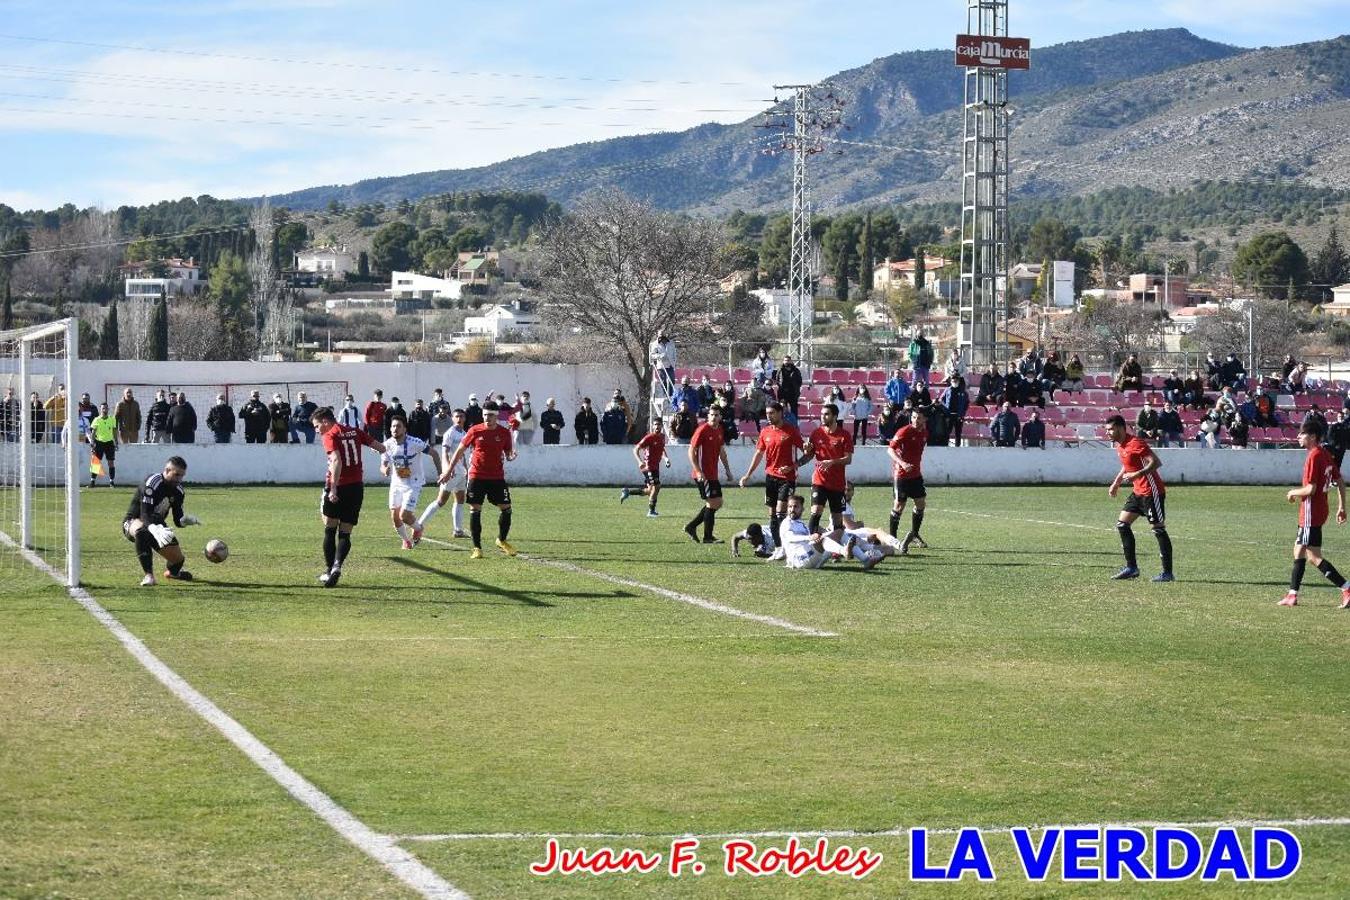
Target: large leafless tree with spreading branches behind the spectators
{"points": [[624, 273]]}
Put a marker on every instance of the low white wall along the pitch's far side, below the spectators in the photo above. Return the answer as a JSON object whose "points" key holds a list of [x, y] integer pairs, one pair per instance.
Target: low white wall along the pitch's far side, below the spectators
{"points": [[537, 465]]}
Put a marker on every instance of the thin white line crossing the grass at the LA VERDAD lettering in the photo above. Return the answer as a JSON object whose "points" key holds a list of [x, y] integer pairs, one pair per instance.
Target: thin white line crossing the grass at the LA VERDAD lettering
{"points": [[847, 833]]}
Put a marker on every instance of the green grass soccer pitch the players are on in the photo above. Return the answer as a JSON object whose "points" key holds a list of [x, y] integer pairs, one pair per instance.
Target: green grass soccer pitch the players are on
{"points": [[620, 681]]}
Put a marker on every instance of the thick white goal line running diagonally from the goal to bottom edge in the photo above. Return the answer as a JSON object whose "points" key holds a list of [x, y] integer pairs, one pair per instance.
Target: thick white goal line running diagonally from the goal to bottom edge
{"points": [[381, 848]]}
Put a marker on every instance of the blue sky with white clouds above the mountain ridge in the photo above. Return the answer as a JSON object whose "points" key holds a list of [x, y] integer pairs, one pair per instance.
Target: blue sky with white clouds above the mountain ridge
{"points": [[114, 103]]}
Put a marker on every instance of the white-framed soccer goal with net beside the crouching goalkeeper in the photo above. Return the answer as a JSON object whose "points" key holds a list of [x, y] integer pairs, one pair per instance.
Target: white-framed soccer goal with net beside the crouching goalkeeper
{"points": [[40, 445]]}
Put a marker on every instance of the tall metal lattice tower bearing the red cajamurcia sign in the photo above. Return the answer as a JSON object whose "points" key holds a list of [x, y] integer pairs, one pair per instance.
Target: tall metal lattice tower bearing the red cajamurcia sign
{"points": [[986, 53]]}
